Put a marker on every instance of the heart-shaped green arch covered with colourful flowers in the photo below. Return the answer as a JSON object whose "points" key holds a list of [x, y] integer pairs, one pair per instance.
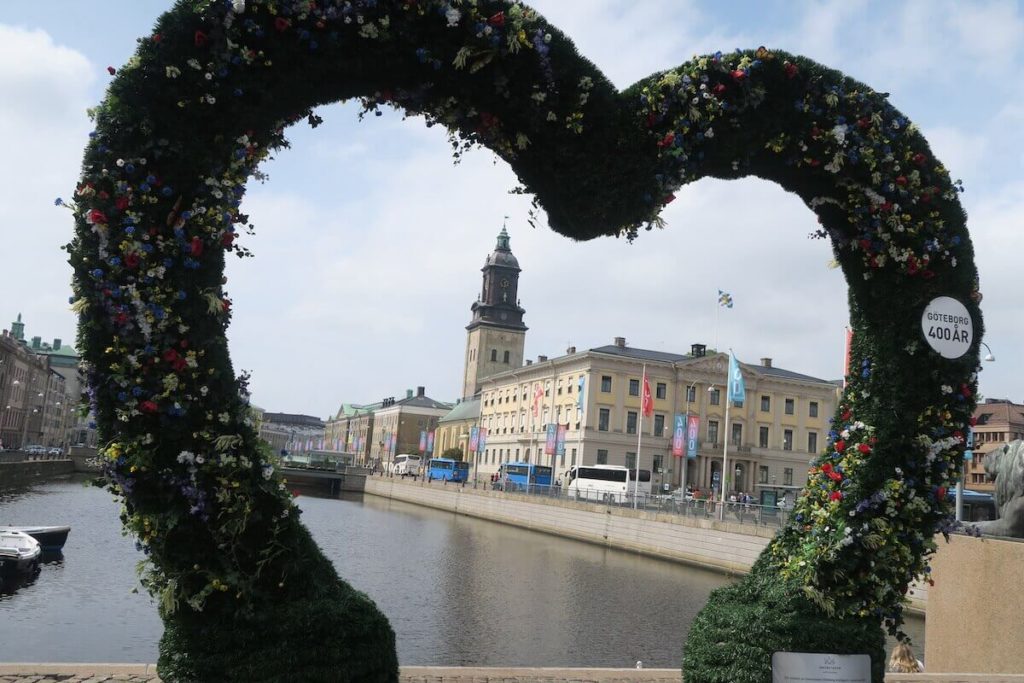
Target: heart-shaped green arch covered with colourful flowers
{"points": [[244, 592]]}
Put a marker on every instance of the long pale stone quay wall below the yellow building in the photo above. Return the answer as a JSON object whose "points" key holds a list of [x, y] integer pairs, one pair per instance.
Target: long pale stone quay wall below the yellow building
{"points": [[728, 547]]}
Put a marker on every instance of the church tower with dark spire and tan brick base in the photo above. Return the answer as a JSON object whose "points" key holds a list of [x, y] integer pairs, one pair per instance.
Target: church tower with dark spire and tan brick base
{"points": [[496, 335]]}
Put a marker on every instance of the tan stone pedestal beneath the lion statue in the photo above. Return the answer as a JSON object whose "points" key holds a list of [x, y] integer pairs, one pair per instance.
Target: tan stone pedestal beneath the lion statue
{"points": [[976, 608]]}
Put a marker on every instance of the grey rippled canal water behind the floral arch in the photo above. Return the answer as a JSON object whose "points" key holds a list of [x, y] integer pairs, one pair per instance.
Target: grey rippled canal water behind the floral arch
{"points": [[458, 591]]}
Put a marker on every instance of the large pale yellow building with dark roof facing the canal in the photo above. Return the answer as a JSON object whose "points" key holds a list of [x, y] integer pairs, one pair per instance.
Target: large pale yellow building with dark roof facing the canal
{"points": [[783, 424]]}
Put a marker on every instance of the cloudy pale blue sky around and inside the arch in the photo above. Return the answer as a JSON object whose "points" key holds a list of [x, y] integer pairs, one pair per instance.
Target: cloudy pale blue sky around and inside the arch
{"points": [[370, 240]]}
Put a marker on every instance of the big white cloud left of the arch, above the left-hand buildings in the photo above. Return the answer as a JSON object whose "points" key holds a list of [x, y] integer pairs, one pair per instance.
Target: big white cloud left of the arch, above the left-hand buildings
{"points": [[45, 89]]}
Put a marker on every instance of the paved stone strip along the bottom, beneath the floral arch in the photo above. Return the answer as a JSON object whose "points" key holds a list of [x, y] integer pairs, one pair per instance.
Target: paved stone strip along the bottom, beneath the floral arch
{"points": [[105, 673]]}
